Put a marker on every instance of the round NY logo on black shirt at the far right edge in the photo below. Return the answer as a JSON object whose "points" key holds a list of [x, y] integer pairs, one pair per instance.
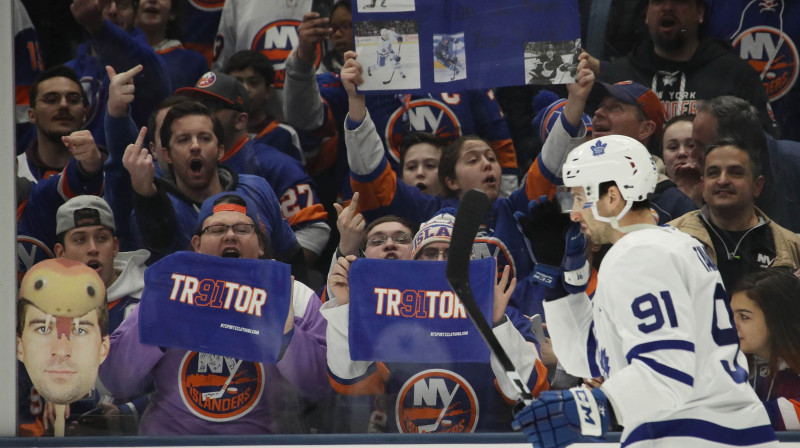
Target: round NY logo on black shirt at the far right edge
{"points": [[773, 55]]}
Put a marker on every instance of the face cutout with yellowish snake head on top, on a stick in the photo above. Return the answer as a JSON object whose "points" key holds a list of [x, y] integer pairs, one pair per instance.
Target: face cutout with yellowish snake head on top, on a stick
{"points": [[62, 334]]}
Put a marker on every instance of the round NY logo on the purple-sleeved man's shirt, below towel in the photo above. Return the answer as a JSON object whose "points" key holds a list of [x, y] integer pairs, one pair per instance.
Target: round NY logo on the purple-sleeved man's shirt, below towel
{"points": [[218, 388]]}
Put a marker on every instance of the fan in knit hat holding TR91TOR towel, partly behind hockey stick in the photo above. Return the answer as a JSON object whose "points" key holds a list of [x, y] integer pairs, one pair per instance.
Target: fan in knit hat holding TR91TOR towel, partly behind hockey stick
{"points": [[413, 346]]}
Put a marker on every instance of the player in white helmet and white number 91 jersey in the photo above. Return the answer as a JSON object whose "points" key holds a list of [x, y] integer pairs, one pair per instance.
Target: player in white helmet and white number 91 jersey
{"points": [[666, 344]]}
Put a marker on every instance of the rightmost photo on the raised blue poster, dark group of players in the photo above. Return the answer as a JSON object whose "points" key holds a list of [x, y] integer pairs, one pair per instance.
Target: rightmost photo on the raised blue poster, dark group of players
{"points": [[548, 62]]}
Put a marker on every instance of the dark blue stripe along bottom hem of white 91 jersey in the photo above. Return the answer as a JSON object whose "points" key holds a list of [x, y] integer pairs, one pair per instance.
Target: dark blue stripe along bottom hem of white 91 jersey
{"points": [[701, 430]]}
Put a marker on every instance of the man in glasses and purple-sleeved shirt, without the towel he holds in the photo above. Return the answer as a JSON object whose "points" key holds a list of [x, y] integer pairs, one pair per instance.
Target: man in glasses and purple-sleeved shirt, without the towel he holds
{"points": [[265, 397]]}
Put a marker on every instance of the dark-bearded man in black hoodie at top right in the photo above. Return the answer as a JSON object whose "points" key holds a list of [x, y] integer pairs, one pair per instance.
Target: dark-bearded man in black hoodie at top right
{"points": [[682, 67]]}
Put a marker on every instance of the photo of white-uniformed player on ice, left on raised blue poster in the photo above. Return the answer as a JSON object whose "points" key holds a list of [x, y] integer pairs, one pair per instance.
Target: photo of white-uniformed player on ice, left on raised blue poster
{"points": [[388, 51]]}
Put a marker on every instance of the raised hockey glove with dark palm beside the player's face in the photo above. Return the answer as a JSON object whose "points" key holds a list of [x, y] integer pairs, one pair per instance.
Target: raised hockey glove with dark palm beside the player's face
{"points": [[557, 247]]}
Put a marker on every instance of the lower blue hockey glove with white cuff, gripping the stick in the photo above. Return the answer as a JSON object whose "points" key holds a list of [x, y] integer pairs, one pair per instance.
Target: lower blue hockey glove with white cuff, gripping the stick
{"points": [[559, 418]]}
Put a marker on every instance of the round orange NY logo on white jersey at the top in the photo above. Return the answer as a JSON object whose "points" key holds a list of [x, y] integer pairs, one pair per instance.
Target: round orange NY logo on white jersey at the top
{"points": [[276, 40]]}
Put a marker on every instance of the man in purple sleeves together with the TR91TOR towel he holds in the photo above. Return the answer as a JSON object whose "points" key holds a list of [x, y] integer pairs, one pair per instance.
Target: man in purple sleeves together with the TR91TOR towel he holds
{"points": [[231, 344]]}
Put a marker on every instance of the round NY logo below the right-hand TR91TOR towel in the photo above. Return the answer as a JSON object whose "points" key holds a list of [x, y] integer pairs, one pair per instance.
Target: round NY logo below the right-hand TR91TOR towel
{"points": [[436, 400]]}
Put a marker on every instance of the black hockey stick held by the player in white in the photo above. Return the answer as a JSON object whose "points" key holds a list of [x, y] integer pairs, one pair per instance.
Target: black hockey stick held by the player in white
{"points": [[468, 219]]}
